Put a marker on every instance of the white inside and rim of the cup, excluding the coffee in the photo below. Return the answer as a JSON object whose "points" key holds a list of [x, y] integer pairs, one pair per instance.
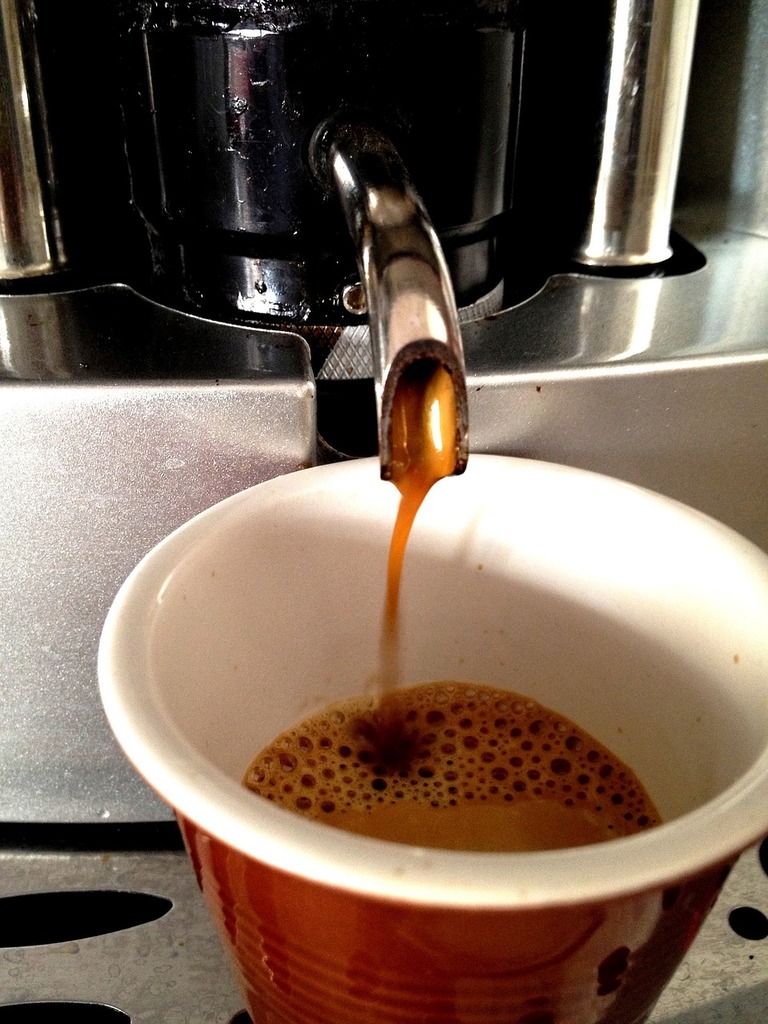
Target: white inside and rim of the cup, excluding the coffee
{"points": [[643, 621]]}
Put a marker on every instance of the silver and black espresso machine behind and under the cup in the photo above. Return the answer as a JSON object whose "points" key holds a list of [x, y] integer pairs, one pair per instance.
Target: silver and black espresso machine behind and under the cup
{"points": [[201, 202]]}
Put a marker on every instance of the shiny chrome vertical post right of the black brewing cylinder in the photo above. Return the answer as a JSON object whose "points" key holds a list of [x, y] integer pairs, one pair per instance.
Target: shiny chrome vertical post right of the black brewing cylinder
{"points": [[642, 133]]}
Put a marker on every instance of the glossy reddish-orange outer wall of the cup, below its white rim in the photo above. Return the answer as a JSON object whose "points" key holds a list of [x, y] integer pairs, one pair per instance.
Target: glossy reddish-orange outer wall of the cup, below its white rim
{"points": [[306, 952]]}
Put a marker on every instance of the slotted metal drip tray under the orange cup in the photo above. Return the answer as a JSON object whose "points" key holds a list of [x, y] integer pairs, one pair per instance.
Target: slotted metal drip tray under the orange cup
{"points": [[175, 971]]}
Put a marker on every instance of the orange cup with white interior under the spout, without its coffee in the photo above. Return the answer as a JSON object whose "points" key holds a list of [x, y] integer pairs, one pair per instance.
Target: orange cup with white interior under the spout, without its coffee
{"points": [[642, 620]]}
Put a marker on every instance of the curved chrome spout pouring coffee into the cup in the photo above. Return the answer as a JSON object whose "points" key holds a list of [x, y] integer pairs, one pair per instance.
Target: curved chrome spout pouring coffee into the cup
{"points": [[411, 306]]}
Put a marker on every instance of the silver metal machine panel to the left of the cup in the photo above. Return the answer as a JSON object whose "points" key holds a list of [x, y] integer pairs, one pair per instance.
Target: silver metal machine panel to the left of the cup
{"points": [[97, 468]]}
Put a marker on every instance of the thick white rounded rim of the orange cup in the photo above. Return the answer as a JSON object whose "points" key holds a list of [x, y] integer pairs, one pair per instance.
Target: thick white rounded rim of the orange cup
{"points": [[205, 796]]}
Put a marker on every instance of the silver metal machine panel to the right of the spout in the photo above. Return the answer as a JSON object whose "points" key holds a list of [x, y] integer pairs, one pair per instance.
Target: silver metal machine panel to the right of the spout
{"points": [[662, 382]]}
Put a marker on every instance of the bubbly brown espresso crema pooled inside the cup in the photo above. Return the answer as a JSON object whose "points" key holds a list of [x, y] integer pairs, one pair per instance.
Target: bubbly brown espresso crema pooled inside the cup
{"points": [[454, 766]]}
